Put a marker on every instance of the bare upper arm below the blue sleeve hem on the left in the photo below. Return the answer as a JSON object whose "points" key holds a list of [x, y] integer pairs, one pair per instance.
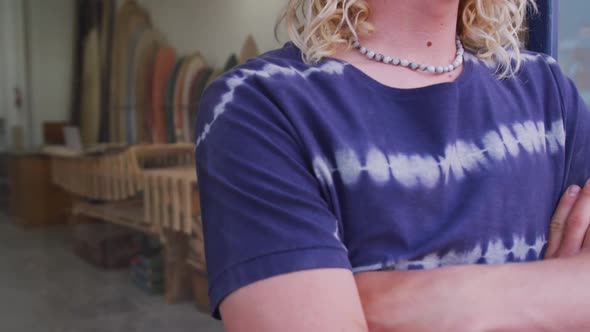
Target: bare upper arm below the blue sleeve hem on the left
{"points": [[320, 300]]}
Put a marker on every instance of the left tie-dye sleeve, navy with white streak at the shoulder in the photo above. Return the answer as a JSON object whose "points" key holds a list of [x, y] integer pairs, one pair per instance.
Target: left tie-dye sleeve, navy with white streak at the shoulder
{"points": [[262, 208]]}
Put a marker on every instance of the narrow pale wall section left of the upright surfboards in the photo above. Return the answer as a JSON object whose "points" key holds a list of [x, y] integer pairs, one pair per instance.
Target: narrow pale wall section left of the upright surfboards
{"points": [[51, 41]]}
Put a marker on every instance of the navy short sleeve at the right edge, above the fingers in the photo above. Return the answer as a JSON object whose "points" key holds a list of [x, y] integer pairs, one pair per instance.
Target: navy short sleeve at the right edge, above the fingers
{"points": [[577, 130]]}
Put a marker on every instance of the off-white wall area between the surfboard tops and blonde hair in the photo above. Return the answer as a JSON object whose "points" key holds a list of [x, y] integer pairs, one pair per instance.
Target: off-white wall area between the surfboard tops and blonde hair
{"points": [[216, 28]]}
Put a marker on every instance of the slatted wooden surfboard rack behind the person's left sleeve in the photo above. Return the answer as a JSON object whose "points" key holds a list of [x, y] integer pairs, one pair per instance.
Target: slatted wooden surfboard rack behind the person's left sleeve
{"points": [[149, 188]]}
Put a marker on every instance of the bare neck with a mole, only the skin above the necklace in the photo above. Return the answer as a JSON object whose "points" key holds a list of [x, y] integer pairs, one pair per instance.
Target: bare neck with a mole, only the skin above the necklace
{"points": [[419, 30]]}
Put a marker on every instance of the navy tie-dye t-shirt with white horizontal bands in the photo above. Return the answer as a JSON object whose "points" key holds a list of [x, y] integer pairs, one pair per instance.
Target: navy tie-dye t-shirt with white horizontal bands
{"points": [[320, 166]]}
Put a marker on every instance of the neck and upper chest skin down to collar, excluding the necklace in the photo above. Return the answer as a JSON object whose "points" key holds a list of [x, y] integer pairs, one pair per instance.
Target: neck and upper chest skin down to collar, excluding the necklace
{"points": [[420, 31]]}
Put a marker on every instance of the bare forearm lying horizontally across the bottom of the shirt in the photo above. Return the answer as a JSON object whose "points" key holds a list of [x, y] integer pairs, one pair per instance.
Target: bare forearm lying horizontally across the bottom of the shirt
{"points": [[551, 295]]}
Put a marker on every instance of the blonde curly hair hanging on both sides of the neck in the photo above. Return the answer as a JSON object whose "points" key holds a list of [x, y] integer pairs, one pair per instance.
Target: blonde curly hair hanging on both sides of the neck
{"points": [[492, 29]]}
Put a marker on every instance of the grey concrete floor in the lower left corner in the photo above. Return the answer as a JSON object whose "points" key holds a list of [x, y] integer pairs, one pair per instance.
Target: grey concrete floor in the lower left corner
{"points": [[44, 287]]}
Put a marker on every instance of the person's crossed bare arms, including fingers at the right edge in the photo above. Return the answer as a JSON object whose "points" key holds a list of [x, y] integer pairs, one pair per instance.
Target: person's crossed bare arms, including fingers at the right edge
{"points": [[551, 295]]}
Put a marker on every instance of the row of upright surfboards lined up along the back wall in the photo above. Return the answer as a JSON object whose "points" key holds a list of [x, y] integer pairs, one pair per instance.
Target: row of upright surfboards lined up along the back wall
{"points": [[154, 91]]}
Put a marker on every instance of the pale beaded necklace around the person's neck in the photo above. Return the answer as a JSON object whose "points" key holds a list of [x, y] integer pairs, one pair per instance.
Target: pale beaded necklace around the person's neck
{"points": [[372, 55]]}
